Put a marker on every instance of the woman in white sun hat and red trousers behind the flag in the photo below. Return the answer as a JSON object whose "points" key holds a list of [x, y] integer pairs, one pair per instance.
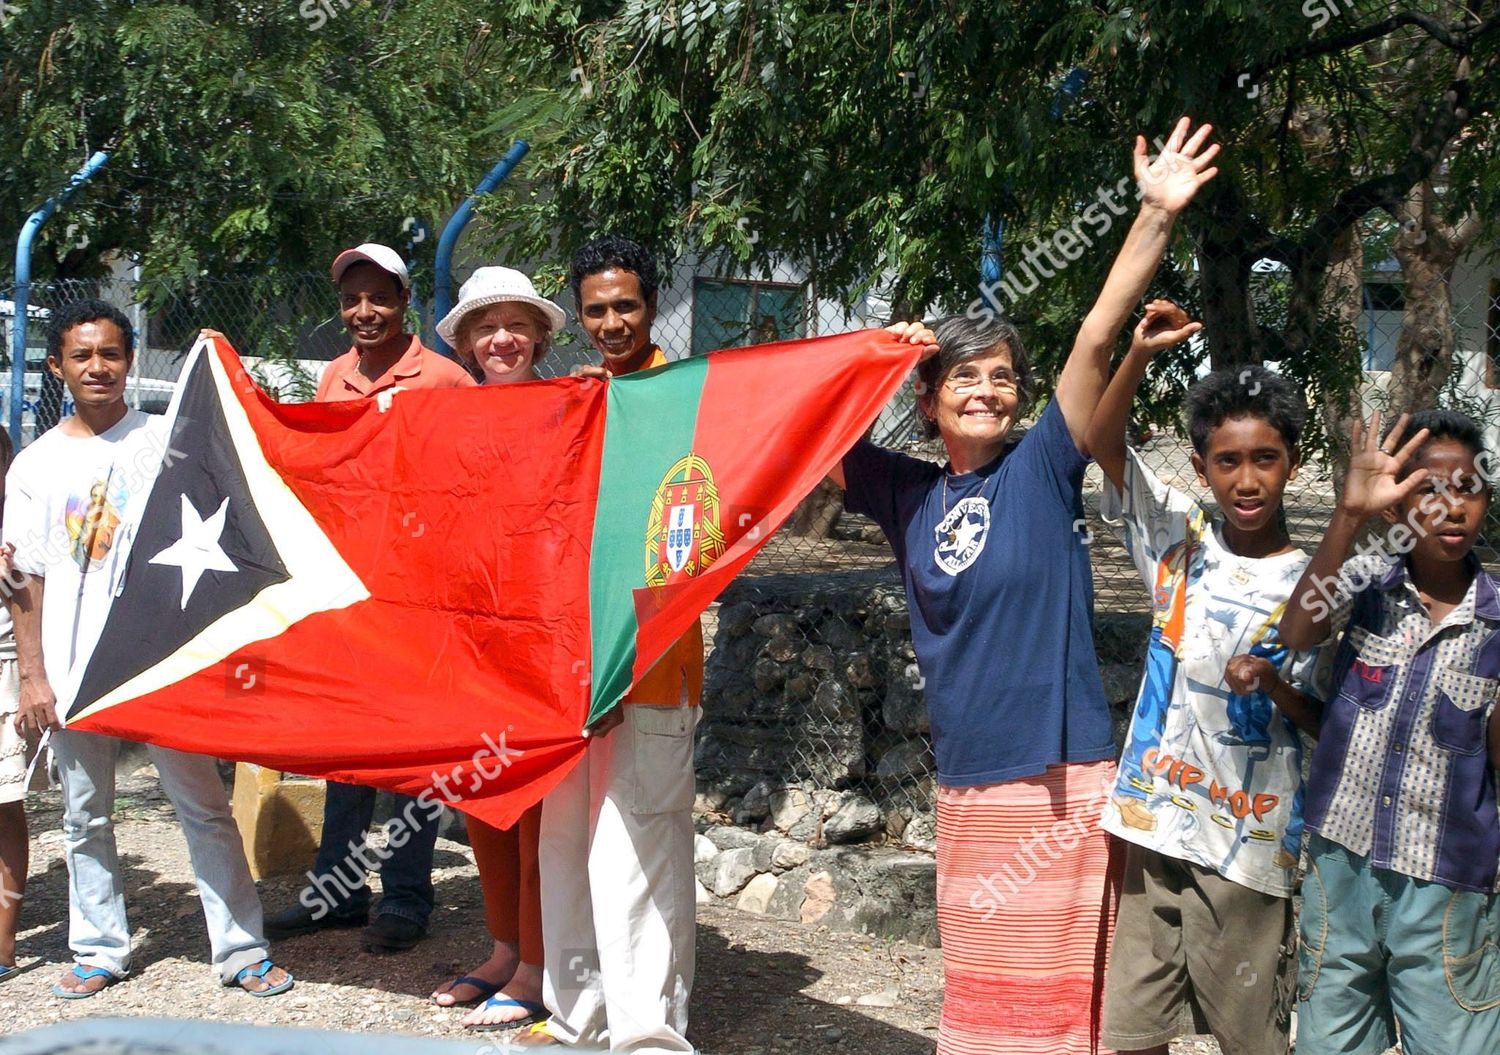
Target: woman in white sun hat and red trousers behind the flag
{"points": [[500, 328]]}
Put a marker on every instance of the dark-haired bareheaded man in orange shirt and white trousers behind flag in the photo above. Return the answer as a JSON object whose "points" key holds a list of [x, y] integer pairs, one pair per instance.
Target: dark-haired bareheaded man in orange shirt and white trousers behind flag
{"points": [[619, 907]]}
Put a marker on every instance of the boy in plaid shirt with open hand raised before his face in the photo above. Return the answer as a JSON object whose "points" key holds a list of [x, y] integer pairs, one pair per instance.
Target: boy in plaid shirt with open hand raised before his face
{"points": [[1400, 918]]}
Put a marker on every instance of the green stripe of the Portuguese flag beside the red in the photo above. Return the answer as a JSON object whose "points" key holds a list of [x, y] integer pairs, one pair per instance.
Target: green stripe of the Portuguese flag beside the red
{"points": [[652, 419]]}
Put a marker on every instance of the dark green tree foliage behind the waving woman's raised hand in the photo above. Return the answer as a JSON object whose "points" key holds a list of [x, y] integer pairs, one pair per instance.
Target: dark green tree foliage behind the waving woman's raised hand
{"points": [[865, 140]]}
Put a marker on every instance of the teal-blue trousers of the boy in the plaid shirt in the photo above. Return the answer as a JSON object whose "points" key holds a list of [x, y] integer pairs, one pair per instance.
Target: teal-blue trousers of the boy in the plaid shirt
{"points": [[1381, 948]]}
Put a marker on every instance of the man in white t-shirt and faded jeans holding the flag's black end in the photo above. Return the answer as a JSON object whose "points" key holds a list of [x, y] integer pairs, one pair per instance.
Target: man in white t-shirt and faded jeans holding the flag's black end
{"points": [[71, 505]]}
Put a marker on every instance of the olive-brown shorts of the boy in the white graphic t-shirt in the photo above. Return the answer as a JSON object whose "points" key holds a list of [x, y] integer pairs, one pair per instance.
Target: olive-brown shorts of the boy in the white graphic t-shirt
{"points": [[1198, 954]]}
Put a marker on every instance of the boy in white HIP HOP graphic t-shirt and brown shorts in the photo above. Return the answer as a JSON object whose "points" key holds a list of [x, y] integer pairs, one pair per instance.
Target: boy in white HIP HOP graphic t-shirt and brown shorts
{"points": [[1210, 789]]}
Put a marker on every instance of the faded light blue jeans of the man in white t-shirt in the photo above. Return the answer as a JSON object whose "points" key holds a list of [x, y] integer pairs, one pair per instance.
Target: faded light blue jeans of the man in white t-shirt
{"points": [[98, 933]]}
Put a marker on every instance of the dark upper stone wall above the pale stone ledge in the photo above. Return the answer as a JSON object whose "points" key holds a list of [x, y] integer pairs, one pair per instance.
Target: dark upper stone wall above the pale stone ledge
{"points": [[814, 715]]}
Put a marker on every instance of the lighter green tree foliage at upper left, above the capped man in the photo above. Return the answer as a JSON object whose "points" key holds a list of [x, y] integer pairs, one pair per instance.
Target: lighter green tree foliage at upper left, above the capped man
{"points": [[247, 137]]}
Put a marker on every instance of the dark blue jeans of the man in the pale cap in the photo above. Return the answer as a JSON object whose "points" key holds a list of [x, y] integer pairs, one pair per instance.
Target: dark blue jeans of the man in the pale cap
{"points": [[406, 867]]}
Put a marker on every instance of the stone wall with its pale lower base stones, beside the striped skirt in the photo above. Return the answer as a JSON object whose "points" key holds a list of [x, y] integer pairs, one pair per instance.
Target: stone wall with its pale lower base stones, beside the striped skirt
{"points": [[817, 792]]}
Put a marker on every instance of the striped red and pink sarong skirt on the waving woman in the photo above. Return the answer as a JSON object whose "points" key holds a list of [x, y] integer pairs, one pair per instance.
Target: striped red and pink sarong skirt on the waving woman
{"points": [[1028, 885]]}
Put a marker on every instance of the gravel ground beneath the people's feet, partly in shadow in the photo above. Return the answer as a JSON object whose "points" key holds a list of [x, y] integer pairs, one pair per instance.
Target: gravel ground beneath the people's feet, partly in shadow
{"points": [[763, 985]]}
